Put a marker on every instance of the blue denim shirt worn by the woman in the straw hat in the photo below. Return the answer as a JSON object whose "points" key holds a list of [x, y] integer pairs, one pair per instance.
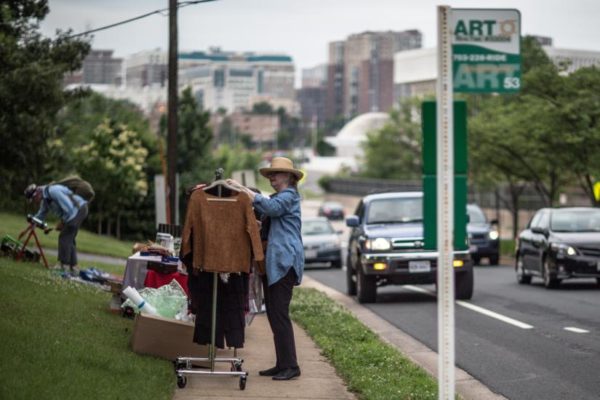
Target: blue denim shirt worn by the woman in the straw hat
{"points": [[284, 249]]}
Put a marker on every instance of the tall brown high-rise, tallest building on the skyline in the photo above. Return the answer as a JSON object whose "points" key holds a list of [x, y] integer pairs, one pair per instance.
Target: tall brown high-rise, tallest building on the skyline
{"points": [[366, 70]]}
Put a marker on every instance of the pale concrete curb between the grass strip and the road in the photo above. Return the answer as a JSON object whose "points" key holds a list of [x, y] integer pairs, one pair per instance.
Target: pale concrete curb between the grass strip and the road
{"points": [[467, 386]]}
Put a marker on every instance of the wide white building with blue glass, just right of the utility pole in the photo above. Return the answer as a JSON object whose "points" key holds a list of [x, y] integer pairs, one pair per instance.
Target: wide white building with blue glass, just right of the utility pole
{"points": [[230, 80]]}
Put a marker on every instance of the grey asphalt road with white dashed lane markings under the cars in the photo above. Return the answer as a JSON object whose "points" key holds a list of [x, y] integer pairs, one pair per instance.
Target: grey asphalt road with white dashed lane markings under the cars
{"points": [[522, 341]]}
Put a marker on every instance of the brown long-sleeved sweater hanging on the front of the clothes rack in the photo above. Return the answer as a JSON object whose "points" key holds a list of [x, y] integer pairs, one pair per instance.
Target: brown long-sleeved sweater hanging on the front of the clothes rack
{"points": [[221, 235]]}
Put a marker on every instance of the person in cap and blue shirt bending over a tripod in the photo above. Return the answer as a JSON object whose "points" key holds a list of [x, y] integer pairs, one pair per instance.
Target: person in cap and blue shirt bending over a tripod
{"points": [[72, 210]]}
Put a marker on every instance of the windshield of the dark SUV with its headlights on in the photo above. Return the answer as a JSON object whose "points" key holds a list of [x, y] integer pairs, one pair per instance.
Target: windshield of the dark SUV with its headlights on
{"points": [[398, 210]]}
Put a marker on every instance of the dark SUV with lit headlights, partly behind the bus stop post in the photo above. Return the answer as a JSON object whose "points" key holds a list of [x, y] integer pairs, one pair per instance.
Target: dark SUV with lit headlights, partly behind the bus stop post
{"points": [[386, 248]]}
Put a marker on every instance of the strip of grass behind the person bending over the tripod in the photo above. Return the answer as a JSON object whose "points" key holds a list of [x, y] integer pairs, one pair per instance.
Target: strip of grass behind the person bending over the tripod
{"points": [[87, 242]]}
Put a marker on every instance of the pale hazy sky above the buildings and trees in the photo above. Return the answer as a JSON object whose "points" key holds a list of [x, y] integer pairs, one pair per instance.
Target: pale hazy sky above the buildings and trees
{"points": [[302, 28]]}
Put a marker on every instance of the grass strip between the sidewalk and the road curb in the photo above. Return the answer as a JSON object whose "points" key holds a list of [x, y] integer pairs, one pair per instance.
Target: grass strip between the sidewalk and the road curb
{"points": [[372, 369]]}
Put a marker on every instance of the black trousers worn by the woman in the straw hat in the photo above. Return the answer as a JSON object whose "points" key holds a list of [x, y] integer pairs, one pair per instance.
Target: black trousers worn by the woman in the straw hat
{"points": [[277, 300]]}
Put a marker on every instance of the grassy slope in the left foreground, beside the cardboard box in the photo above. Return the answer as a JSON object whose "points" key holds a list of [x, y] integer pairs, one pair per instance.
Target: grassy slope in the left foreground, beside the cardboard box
{"points": [[59, 341]]}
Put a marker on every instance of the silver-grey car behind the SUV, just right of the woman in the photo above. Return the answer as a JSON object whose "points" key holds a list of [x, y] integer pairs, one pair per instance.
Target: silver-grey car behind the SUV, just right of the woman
{"points": [[321, 242]]}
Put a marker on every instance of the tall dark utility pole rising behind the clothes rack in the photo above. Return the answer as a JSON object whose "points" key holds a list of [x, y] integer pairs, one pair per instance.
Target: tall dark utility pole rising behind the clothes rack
{"points": [[172, 116]]}
